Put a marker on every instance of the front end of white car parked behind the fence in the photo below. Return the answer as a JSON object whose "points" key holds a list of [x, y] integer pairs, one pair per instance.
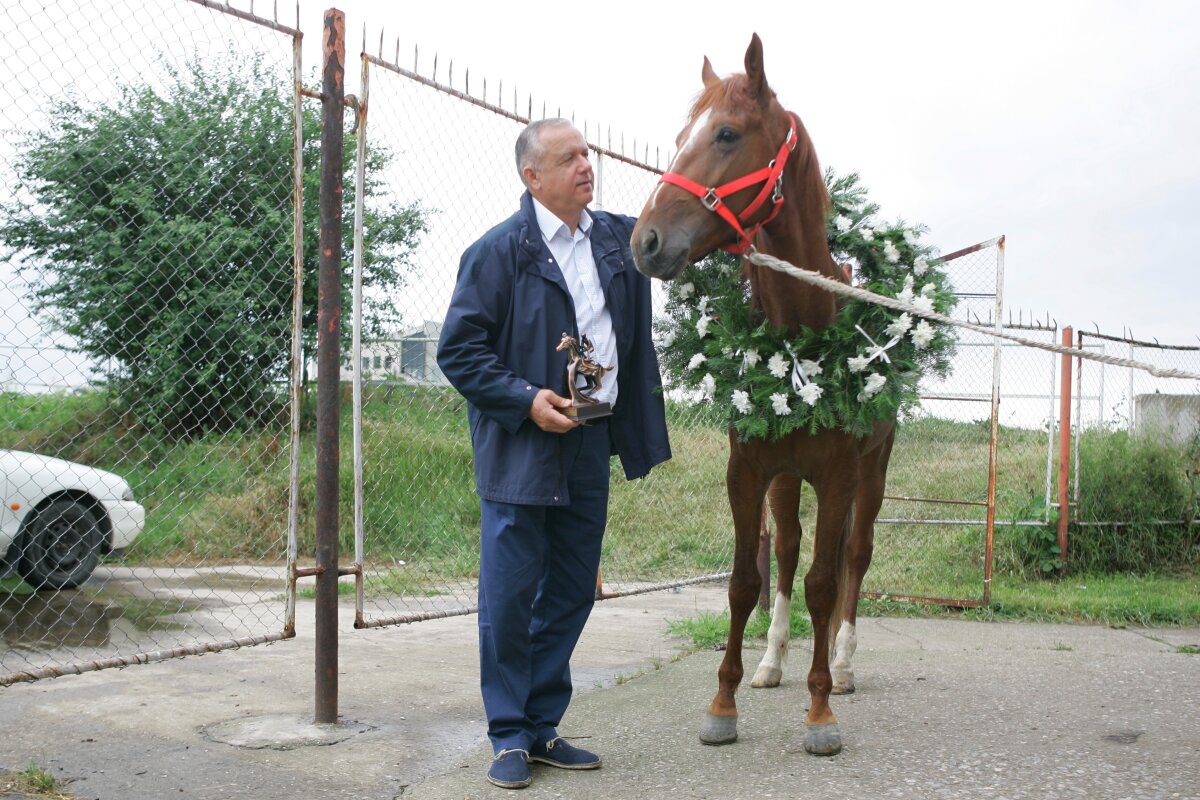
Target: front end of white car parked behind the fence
{"points": [[59, 518]]}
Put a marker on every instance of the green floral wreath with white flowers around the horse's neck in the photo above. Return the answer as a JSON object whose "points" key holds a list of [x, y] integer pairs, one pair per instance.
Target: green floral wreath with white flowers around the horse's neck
{"points": [[861, 370]]}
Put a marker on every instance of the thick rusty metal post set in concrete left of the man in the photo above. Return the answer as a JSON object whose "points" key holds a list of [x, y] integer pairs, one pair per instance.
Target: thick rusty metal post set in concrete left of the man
{"points": [[329, 314]]}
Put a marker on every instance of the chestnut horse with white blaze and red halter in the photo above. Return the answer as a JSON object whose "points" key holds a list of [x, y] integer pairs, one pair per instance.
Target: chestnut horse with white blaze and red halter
{"points": [[741, 145]]}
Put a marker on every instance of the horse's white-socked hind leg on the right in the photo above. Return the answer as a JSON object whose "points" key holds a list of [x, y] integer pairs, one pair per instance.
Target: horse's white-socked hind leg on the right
{"points": [[873, 476]]}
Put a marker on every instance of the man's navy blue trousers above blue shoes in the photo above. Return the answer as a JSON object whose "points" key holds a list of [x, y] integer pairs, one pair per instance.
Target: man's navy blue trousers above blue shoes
{"points": [[537, 587]]}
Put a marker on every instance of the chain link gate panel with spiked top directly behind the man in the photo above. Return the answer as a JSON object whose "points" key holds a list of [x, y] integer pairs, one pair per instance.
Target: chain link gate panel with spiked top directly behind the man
{"points": [[452, 152]]}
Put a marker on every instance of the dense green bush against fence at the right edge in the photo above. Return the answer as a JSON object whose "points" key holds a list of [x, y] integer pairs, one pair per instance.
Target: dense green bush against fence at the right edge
{"points": [[1136, 506]]}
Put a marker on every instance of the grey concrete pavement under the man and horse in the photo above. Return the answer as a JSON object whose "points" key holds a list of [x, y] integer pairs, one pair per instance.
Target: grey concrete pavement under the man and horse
{"points": [[944, 709]]}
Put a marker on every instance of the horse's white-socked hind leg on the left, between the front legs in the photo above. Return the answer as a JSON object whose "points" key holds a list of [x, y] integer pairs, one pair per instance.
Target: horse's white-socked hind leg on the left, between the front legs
{"points": [[785, 508]]}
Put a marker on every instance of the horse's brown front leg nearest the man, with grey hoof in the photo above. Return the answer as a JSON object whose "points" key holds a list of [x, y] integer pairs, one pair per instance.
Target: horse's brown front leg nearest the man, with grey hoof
{"points": [[747, 488]]}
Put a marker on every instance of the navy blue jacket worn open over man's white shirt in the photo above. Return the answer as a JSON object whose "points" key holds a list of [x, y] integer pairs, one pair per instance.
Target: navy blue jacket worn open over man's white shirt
{"points": [[508, 314]]}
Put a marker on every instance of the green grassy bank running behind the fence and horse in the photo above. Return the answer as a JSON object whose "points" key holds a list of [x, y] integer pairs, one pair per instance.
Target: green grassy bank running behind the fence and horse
{"points": [[225, 498]]}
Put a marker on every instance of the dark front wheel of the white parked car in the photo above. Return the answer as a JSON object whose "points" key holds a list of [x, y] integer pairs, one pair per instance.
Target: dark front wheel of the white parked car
{"points": [[62, 546]]}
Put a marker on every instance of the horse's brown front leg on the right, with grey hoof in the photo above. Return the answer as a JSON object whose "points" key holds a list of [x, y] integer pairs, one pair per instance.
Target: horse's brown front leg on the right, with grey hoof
{"points": [[836, 497]]}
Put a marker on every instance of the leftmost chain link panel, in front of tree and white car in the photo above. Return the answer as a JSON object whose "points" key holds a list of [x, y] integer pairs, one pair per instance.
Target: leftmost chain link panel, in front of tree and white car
{"points": [[147, 158]]}
